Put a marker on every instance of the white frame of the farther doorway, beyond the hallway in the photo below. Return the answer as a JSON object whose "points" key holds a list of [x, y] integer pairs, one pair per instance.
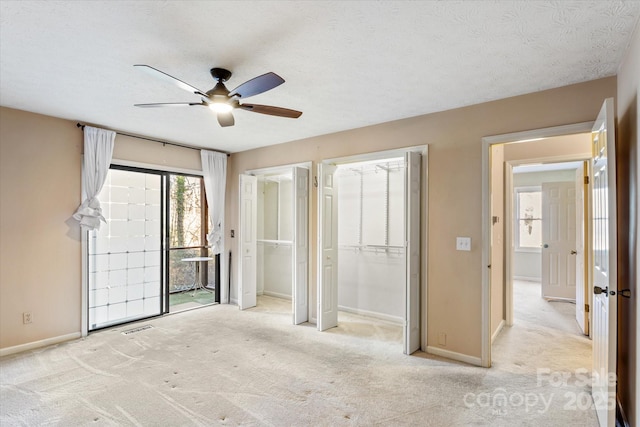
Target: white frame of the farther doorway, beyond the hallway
{"points": [[509, 222]]}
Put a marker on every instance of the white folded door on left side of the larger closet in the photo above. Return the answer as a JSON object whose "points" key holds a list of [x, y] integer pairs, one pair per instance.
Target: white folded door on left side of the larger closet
{"points": [[328, 244]]}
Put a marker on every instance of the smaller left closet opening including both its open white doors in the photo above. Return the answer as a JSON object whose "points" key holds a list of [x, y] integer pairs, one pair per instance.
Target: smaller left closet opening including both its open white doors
{"points": [[274, 236]]}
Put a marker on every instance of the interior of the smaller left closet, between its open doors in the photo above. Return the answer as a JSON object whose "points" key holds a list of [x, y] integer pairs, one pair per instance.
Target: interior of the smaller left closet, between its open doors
{"points": [[274, 235]]}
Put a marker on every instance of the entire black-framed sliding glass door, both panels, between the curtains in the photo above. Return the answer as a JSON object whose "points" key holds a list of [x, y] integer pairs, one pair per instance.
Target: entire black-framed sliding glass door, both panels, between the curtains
{"points": [[140, 263]]}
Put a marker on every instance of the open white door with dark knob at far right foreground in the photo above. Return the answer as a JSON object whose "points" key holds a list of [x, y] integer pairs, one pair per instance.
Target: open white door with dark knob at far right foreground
{"points": [[604, 259]]}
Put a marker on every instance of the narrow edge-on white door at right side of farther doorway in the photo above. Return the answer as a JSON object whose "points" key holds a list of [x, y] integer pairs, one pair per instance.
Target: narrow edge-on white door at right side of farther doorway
{"points": [[582, 298]]}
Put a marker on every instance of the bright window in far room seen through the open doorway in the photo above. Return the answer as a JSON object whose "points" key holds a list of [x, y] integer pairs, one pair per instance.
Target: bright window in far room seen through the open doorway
{"points": [[528, 218]]}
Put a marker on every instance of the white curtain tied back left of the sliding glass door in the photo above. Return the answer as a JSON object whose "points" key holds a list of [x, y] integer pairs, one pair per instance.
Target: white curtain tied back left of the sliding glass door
{"points": [[98, 150]]}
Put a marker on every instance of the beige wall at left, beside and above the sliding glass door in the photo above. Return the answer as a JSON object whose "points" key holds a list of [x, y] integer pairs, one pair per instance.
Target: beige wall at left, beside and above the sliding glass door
{"points": [[40, 248]]}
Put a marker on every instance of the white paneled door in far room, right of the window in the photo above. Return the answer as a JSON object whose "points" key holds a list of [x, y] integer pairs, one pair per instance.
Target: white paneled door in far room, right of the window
{"points": [[558, 240]]}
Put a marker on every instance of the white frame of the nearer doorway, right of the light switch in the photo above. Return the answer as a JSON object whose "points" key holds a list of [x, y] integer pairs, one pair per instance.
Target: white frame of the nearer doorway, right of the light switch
{"points": [[487, 142]]}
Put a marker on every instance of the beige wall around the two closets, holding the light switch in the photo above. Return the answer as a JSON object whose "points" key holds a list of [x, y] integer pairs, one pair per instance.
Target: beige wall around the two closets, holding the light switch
{"points": [[455, 175]]}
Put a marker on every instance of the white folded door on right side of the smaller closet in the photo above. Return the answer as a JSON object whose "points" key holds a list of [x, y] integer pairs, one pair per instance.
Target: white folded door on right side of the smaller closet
{"points": [[300, 253]]}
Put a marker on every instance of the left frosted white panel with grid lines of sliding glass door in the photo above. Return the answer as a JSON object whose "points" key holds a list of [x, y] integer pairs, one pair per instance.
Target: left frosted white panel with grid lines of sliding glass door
{"points": [[125, 256]]}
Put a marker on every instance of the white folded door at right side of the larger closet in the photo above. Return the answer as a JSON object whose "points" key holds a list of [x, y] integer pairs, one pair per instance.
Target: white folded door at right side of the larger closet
{"points": [[412, 255]]}
